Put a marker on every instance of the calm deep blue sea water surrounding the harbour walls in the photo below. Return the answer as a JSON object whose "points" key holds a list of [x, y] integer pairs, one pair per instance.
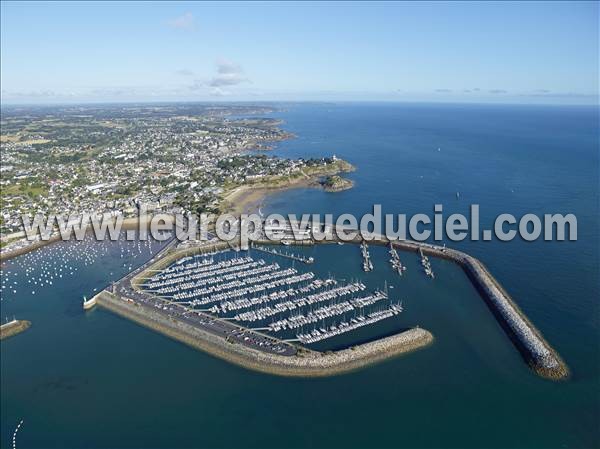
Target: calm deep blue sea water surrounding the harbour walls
{"points": [[96, 380]]}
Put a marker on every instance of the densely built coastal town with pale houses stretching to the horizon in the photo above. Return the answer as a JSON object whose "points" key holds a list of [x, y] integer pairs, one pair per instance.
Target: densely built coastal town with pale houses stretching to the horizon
{"points": [[112, 159]]}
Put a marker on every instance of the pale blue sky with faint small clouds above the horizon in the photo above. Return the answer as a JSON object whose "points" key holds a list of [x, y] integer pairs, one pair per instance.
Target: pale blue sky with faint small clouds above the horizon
{"points": [[531, 52]]}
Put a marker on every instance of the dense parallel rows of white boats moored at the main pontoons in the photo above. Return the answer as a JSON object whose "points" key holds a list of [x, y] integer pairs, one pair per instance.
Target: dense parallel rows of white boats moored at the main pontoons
{"points": [[280, 300]]}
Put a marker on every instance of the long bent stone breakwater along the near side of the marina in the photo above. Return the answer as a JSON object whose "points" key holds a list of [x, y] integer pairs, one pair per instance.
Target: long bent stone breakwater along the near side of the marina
{"points": [[305, 363]]}
